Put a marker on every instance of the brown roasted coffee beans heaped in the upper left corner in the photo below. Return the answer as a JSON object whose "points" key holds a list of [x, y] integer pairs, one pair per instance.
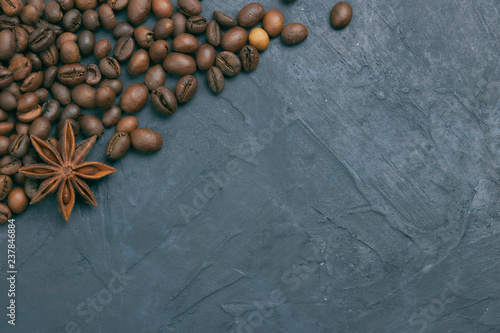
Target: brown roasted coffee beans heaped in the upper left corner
{"points": [[43, 82]]}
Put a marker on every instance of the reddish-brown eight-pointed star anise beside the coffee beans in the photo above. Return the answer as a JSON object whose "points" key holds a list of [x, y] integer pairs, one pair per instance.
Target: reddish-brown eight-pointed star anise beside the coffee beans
{"points": [[65, 171]]}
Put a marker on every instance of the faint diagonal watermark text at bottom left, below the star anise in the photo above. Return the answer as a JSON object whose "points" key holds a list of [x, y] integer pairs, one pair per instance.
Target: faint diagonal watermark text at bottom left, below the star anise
{"points": [[88, 309]]}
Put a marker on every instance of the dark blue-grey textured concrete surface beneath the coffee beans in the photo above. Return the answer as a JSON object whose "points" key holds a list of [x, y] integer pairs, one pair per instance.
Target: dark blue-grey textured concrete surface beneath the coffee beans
{"points": [[355, 190]]}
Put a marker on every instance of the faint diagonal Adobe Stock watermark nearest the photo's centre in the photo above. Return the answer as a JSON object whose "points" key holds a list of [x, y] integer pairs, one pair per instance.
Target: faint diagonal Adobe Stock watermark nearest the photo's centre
{"points": [[247, 150]]}
